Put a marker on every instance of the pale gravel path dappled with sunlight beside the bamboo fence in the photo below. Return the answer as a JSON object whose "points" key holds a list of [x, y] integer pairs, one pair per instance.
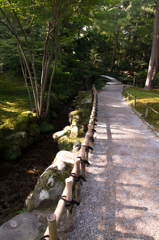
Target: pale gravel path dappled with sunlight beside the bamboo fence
{"points": [[120, 199]]}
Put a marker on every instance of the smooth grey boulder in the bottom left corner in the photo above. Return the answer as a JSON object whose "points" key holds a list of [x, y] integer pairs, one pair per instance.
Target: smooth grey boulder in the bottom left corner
{"points": [[22, 227]]}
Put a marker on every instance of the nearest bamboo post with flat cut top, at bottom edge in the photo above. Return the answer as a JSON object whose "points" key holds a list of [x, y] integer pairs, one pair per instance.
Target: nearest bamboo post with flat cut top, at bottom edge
{"points": [[51, 218]]}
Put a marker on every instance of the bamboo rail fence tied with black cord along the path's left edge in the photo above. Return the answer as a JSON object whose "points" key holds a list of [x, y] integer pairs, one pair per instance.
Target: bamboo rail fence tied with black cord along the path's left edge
{"points": [[78, 172]]}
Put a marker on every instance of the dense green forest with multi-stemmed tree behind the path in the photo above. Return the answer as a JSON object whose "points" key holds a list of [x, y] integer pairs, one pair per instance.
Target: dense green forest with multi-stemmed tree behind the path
{"points": [[62, 47]]}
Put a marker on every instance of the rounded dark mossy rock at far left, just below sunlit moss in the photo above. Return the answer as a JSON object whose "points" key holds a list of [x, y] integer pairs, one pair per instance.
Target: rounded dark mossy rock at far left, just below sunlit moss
{"points": [[19, 139]]}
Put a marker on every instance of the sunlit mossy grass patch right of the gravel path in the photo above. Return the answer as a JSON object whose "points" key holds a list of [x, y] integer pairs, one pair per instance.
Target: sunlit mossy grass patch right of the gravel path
{"points": [[142, 97]]}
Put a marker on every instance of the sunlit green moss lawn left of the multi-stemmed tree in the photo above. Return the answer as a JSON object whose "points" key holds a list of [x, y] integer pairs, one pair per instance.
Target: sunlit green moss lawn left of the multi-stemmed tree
{"points": [[13, 100]]}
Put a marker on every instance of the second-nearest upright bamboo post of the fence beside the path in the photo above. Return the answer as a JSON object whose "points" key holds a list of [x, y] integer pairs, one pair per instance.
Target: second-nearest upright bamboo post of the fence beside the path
{"points": [[68, 182]]}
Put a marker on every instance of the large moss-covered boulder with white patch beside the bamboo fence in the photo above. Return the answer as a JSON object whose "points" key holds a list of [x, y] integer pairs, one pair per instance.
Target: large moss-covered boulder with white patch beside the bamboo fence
{"points": [[49, 188]]}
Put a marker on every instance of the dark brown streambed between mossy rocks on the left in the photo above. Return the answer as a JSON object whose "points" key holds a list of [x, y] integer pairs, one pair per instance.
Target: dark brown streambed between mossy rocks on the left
{"points": [[18, 178]]}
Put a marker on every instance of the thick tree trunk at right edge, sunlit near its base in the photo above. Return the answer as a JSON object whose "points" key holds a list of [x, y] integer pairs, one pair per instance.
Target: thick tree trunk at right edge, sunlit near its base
{"points": [[153, 50]]}
